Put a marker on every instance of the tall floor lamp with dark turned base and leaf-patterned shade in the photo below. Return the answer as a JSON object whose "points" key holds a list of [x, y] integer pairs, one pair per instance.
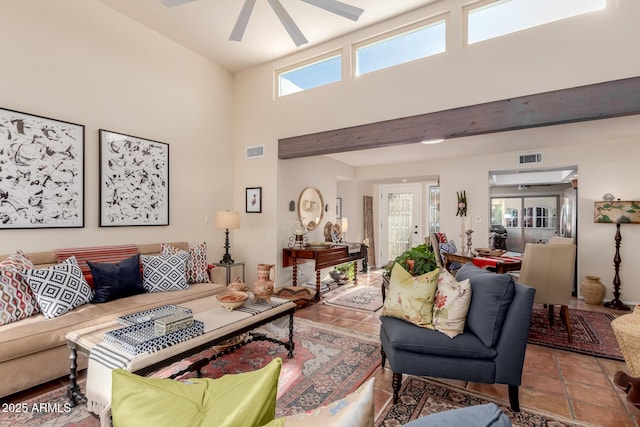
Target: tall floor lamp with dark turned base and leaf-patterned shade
{"points": [[617, 212]]}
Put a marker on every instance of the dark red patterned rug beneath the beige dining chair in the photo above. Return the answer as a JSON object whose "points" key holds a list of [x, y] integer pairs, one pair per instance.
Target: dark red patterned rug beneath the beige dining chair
{"points": [[592, 332]]}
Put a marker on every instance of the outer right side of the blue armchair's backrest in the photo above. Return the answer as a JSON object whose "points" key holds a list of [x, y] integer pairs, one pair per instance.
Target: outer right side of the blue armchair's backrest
{"points": [[512, 344]]}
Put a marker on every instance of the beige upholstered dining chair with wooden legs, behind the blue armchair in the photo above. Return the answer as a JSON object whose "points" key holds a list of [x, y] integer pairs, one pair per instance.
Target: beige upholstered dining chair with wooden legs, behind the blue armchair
{"points": [[550, 269]]}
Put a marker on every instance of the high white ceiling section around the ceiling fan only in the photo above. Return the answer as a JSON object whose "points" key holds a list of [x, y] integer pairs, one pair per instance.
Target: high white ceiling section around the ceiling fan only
{"points": [[204, 26]]}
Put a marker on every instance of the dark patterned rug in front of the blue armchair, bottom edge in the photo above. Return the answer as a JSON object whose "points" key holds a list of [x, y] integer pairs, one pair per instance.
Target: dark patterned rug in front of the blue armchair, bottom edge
{"points": [[420, 397]]}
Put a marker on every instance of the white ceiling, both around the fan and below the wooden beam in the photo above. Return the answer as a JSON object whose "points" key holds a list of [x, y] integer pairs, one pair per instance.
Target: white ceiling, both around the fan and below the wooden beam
{"points": [[204, 27]]}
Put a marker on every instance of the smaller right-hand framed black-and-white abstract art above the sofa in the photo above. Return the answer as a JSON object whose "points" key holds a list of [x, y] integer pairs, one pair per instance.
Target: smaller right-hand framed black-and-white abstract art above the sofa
{"points": [[134, 180]]}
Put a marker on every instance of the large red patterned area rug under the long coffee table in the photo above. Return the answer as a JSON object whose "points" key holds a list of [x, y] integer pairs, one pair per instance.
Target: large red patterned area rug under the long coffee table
{"points": [[328, 364]]}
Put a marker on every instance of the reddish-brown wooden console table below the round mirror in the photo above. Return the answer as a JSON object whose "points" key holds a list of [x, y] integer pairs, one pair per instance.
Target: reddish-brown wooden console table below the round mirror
{"points": [[323, 258]]}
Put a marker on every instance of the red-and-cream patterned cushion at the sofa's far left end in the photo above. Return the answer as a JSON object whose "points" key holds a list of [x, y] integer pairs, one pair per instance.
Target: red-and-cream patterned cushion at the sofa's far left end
{"points": [[16, 299]]}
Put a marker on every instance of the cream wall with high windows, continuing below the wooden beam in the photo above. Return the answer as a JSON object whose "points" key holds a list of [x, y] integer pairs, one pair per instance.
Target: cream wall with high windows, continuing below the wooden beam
{"points": [[583, 50]]}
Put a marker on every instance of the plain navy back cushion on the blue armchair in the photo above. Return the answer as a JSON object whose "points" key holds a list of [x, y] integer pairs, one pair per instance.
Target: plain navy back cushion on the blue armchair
{"points": [[491, 296]]}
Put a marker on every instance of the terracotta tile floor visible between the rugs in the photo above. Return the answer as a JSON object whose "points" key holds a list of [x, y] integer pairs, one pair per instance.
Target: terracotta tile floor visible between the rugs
{"points": [[571, 385]]}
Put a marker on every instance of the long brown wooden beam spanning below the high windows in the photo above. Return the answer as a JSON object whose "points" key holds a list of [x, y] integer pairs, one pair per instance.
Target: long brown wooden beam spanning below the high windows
{"points": [[596, 101]]}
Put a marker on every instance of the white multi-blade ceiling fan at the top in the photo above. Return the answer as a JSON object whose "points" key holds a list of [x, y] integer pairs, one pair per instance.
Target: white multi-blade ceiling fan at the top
{"points": [[333, 6]]}
